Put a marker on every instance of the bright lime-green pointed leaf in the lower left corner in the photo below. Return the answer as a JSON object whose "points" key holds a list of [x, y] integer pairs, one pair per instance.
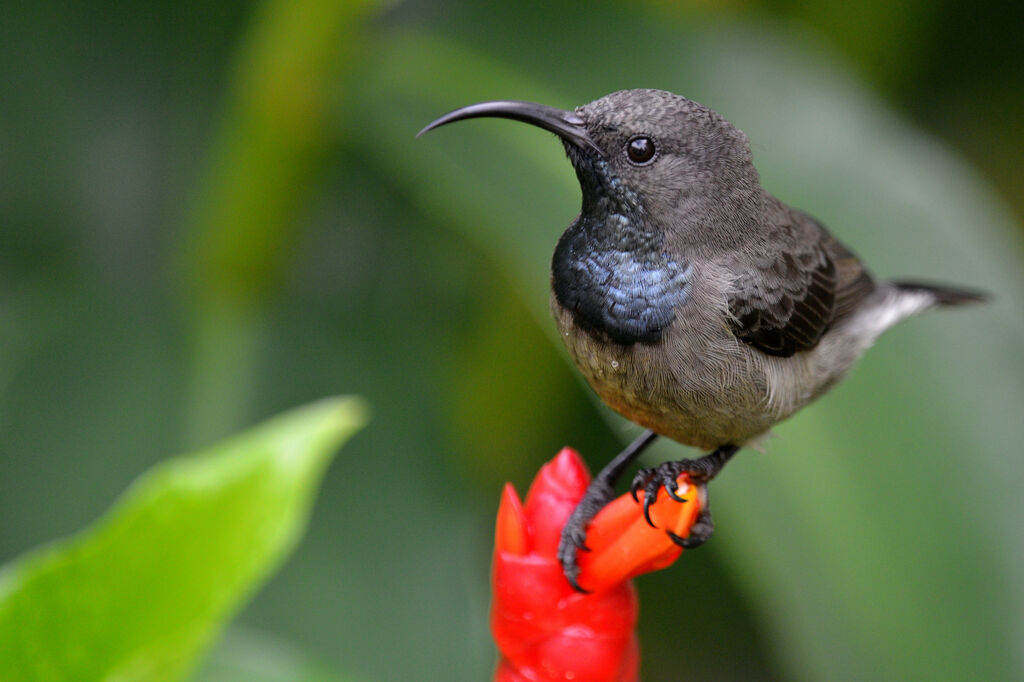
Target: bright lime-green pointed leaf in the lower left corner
{"points": [[142, 593]]}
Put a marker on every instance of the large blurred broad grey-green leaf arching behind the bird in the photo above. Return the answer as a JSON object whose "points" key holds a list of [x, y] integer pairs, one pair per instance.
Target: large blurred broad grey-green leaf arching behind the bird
{"points": [[844, 542]]}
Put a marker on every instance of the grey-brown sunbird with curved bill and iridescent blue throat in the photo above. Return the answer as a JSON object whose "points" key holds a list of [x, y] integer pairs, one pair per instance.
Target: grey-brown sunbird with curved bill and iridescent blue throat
{"points": [[695, 303]]}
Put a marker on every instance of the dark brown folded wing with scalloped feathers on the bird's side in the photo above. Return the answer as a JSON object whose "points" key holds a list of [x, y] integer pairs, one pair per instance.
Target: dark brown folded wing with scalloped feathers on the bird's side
{"points": [[785, 302]]}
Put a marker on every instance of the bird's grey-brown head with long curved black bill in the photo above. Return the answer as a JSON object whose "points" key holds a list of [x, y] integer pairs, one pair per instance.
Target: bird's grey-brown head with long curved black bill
{"points": [[649, 155]]}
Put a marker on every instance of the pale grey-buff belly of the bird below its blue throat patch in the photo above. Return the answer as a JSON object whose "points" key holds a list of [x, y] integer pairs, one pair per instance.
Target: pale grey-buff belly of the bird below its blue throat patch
{"points": [[699, 399]]}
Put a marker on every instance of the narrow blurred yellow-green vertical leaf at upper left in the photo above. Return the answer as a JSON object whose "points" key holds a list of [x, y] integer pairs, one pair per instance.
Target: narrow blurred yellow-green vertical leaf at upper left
{"points": [[265, 165]]}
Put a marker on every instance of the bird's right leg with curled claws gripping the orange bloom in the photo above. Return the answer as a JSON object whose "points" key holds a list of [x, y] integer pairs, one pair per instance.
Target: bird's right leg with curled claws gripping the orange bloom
{"points": [[700, 472]]}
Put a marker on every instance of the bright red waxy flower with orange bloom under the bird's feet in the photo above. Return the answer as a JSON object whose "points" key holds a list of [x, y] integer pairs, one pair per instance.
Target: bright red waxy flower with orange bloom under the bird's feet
{"points": [[544, 629]]}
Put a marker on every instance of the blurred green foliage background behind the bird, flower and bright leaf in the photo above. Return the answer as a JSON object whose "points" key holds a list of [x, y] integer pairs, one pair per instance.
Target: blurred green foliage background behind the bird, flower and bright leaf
{"points": [[211, 214]]}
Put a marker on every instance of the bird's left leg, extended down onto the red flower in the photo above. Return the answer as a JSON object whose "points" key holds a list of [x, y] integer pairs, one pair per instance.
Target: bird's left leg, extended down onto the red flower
{"points": [[599, 494]]}
